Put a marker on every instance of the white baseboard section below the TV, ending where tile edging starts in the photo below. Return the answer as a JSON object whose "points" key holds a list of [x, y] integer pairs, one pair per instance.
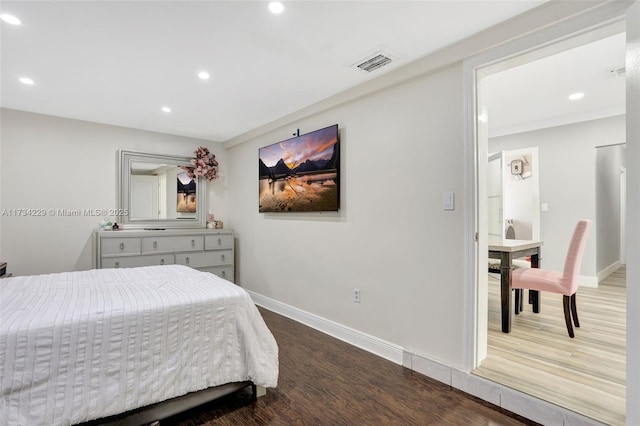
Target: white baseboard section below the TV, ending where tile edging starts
{"points": [[356, 338]]}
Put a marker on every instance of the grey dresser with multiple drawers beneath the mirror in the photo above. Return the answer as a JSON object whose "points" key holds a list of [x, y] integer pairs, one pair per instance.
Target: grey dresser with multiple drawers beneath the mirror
{"points": [[209, 250]]}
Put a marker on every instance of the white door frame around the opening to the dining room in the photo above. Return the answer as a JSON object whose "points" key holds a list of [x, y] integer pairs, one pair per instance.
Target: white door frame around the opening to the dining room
{"points": [[560, 35]]}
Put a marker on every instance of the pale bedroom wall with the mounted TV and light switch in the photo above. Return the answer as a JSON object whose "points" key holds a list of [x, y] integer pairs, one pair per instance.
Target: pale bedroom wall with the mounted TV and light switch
{"points": [[401, 148]]}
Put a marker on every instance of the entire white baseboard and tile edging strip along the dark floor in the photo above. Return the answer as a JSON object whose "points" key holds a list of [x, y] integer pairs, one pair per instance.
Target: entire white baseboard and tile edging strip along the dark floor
{"points": [[512, 400]]}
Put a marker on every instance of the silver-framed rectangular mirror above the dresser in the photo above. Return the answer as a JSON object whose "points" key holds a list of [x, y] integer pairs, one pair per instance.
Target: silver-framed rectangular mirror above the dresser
{"points": [[157, 193]]}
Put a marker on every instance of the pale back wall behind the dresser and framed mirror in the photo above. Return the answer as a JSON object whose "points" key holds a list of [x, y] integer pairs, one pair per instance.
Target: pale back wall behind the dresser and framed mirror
{"points": [[56, 163]]}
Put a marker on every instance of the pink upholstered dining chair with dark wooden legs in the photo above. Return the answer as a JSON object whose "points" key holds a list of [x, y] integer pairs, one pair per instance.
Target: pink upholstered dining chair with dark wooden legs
{"points": [[565, 283]]}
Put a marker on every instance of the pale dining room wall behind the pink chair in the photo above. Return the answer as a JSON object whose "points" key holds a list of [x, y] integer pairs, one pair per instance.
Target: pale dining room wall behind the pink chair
{"points": [[567, 181]]}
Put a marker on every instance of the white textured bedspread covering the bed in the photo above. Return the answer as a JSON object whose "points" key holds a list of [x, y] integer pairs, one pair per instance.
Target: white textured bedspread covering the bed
{"points": [[83, 345]]}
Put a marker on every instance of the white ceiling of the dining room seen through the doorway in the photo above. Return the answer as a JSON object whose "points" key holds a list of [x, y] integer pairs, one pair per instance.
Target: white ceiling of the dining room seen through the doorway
{"points": [[535, 94]]}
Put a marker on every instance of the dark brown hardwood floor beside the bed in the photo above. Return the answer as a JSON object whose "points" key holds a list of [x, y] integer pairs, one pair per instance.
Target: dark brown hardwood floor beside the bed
{"points": [[324, 381]]}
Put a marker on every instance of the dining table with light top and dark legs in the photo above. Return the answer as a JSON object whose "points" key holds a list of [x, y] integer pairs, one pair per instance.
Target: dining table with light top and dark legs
{"points": [[506, 250]]}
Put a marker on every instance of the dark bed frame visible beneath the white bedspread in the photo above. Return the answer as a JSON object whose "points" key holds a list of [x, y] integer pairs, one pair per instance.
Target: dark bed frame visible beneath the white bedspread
{"points": [[154, 413]]}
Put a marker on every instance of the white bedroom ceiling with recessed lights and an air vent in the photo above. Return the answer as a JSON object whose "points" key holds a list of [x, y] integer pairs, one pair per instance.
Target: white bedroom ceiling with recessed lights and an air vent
{"points": [[119, 62]]}
